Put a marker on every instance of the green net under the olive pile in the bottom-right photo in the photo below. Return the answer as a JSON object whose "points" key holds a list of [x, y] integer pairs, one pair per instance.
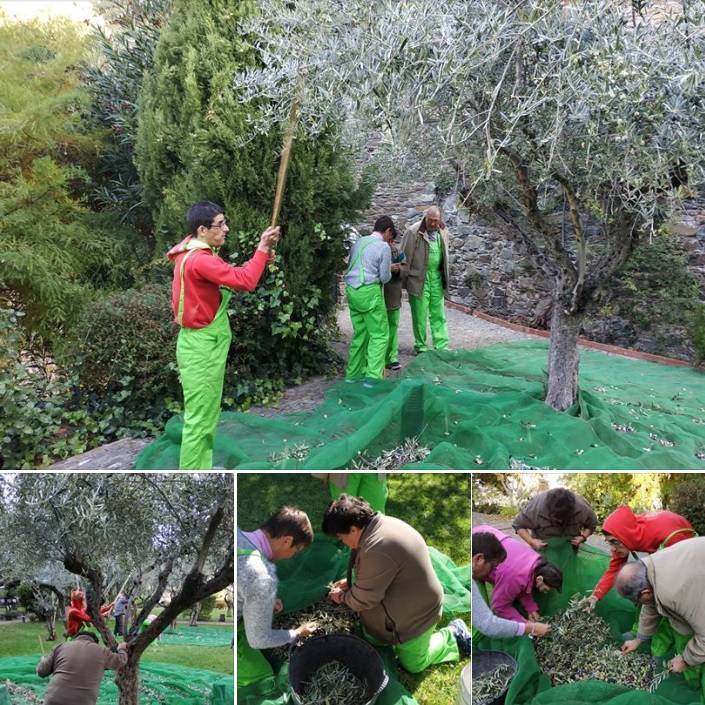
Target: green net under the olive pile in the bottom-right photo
{"points": [[581, 571]]}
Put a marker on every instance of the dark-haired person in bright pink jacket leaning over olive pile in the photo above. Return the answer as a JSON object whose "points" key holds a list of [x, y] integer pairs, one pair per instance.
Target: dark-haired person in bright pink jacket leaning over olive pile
{"points": [[516, 578]]}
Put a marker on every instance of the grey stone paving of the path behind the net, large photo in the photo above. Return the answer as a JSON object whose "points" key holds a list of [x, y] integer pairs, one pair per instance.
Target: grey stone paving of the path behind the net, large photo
{"points": [[466, 333]]}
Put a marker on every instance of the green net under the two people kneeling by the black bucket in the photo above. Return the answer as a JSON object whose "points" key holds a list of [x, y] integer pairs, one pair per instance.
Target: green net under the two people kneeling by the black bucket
{"points": [[302, 582]]}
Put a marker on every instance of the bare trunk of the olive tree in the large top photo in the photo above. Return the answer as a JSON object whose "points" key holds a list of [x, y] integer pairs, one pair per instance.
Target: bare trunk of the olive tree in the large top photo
{"points": [[563, 358]]}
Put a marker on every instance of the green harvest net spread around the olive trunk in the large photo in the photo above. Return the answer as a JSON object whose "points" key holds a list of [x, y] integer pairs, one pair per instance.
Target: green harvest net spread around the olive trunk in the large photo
{"points": [[477, 409]]}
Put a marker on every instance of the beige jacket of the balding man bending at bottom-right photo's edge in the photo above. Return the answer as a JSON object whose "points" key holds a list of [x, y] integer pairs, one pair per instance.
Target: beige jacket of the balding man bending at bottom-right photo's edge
{"points": [[677, 576]]}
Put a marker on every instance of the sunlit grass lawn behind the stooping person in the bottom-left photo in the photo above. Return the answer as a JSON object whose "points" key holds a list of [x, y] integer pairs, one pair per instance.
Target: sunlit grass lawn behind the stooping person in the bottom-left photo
{"points": [[23, 640]]}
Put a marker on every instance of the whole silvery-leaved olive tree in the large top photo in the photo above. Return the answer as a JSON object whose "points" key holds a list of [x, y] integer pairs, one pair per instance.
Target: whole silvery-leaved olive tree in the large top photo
{"points": [[576, 123]]}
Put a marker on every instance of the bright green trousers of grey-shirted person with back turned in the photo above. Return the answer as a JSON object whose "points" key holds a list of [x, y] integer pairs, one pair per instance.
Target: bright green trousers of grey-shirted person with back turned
{"points": [[370, 332]]}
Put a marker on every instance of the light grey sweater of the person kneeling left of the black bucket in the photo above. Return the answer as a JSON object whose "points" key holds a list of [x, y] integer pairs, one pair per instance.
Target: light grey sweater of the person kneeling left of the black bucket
{"points": [[256, 595]]}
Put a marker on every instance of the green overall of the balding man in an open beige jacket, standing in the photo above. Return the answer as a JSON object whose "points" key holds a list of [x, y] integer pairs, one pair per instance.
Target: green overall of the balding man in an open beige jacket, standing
{"points": [[431, 303]]}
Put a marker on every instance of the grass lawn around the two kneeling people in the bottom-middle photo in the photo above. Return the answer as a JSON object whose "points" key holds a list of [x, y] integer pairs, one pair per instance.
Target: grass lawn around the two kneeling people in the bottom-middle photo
{"points": [[437, 505]]}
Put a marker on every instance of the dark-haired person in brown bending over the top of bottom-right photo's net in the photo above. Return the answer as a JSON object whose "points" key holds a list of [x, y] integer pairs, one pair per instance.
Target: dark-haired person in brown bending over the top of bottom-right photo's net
{"points": [[556, 512]]}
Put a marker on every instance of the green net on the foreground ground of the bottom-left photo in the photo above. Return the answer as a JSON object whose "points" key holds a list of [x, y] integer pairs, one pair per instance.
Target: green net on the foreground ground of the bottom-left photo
{"points": [[160, 684]]}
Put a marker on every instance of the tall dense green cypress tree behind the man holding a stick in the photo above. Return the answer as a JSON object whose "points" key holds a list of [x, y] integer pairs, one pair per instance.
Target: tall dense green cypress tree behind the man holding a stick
{"points": [[189, 148]]}
